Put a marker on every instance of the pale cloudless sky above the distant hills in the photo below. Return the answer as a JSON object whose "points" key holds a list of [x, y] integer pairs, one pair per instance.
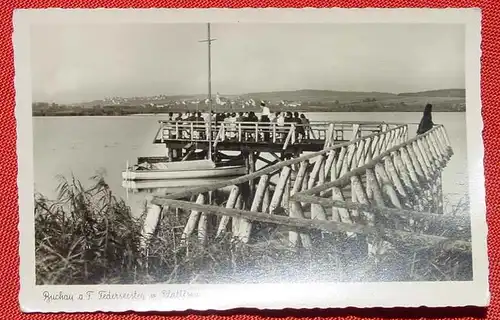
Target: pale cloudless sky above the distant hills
{"points": [[78, 63]]}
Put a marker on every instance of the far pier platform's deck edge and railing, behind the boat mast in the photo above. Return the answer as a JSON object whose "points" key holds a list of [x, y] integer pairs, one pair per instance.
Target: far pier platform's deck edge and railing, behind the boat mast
{"points": [[291, 138]]}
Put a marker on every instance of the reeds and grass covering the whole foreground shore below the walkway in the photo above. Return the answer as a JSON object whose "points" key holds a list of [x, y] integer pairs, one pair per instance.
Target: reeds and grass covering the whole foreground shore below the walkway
{"points": [[89, 236]]}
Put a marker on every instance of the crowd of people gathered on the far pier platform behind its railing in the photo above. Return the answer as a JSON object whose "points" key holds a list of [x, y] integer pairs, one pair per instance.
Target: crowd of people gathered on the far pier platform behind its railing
{"points": [[268, 124]]}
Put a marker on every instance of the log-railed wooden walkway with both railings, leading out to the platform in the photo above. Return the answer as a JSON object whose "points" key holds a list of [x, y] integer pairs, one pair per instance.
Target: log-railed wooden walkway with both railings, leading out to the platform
{"points": [[382, 187]]}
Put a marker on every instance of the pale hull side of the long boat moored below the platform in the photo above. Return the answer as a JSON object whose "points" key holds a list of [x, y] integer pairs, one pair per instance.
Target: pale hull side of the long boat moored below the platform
{"points": [[217, 172]]}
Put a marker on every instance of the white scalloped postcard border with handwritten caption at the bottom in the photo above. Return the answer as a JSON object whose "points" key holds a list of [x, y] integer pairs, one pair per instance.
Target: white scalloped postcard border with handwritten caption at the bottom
{"points": [[261, 296]]}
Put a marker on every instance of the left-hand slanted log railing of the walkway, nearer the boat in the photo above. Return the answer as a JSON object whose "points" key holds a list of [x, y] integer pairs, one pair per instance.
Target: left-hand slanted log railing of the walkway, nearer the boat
{"points": [[347, 156]]}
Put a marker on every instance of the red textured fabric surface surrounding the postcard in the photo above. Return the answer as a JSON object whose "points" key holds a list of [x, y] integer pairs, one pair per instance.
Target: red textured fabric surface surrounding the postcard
{"points": [[490, 81]]}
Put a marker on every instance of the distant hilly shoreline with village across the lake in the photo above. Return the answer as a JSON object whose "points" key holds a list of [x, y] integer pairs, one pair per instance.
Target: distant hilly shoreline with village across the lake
{"points": [[450, 100]]}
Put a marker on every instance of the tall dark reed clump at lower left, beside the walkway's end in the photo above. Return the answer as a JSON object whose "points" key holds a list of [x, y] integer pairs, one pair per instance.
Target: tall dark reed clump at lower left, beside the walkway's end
{"points": [[85, 236]]}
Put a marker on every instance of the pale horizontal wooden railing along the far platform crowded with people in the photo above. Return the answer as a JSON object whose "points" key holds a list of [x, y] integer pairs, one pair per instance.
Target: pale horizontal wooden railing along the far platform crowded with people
{"points": [[286, 134]]}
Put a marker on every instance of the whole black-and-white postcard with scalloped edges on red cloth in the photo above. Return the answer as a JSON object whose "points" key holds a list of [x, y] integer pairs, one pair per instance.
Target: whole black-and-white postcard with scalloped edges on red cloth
{"points": [[208, 159]]}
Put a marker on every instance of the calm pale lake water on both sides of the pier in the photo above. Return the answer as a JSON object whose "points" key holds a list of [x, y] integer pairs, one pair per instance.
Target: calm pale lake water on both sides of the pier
{"points": [[84, 146]]}
